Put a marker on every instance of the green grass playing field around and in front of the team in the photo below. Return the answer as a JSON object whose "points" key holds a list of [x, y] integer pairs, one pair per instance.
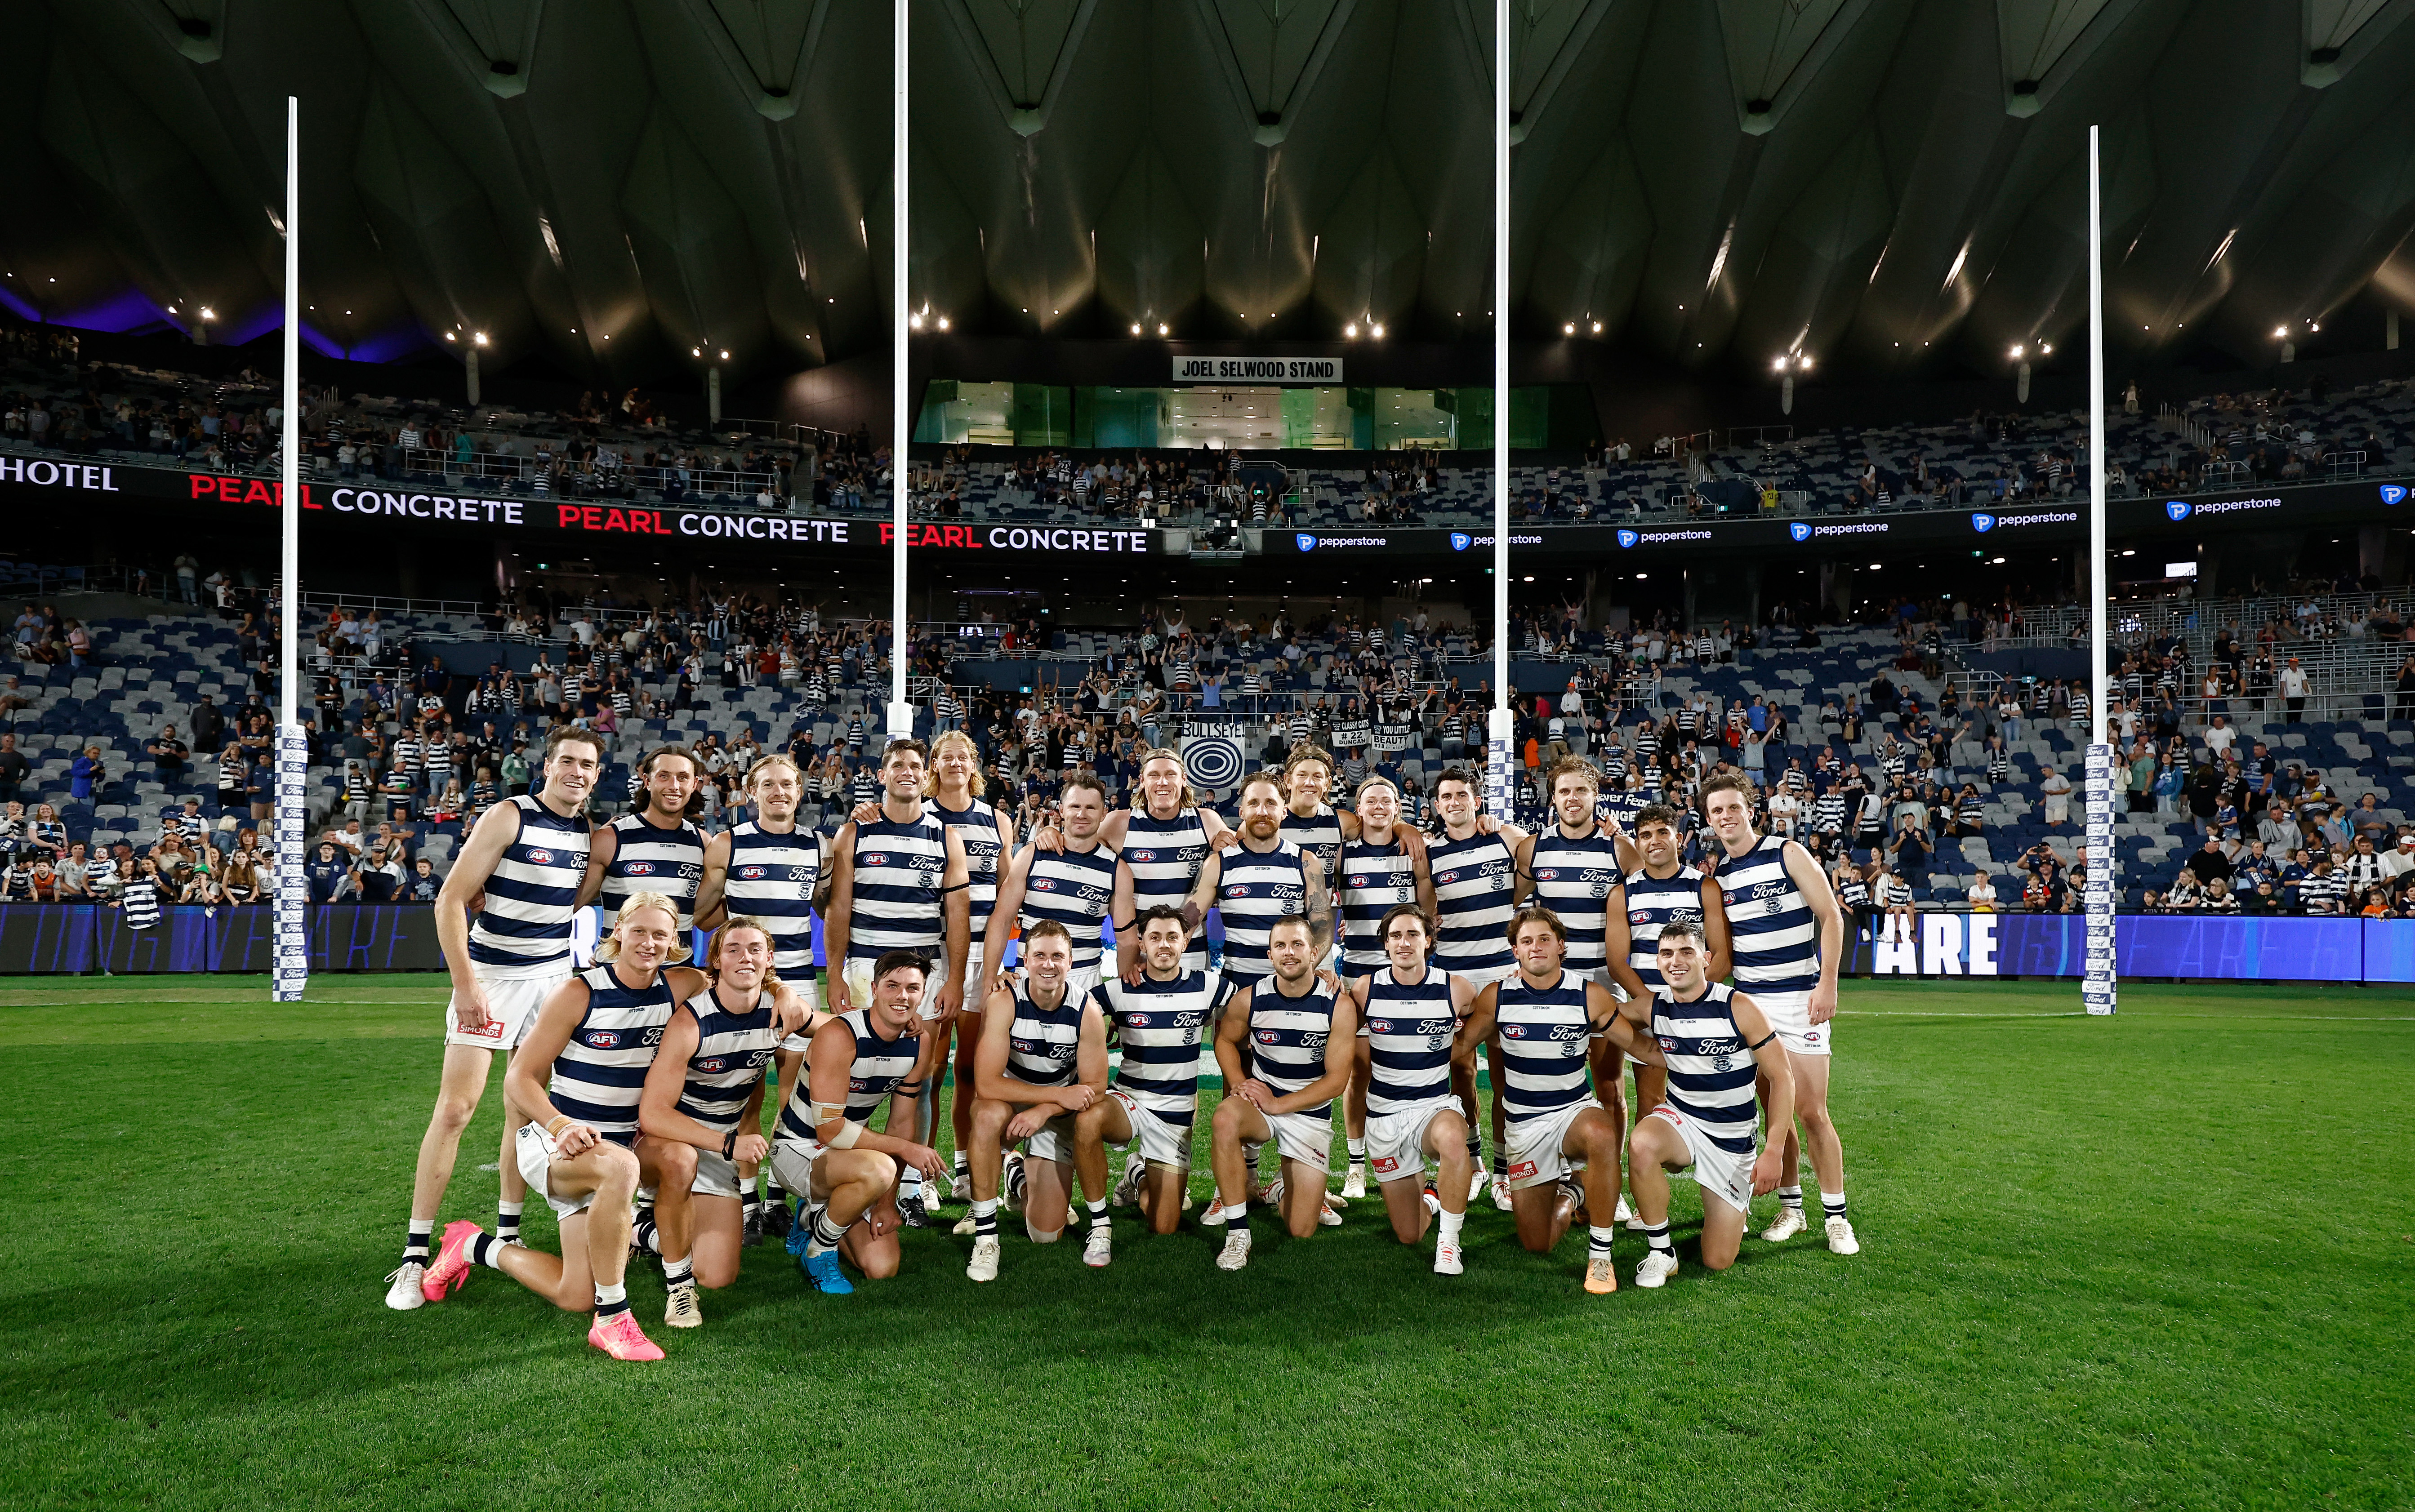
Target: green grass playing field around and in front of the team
{"points": [[2155, 1262]]}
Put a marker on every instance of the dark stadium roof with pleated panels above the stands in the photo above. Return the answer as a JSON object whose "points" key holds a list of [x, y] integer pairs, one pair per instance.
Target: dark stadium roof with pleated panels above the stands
{"points": [[624, 187]]}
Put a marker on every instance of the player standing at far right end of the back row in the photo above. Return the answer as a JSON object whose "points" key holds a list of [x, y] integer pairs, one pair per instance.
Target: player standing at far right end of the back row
{"points": [[1786, 936]]}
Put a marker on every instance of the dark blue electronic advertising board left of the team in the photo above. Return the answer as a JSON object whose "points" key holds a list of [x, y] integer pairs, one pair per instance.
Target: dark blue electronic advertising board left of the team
{"points": [[71, 938]]}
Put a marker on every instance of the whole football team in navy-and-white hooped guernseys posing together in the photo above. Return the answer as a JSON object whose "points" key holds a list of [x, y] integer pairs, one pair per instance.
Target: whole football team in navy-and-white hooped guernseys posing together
{"points": [[1436, 991]]}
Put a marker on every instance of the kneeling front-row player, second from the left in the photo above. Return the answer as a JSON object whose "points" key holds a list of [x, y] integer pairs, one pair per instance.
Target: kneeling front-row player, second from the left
{"points": [[704, 1107]]}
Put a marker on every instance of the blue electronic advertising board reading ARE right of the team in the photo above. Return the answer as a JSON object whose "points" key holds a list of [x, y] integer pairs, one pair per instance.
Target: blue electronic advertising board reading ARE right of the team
{"points": [[2143, 946]]}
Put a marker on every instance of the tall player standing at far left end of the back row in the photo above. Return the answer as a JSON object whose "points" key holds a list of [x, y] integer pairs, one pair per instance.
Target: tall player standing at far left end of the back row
{"points": [[525, 861]]}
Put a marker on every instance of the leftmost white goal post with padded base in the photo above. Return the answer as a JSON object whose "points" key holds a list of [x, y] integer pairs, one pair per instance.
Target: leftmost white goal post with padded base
{"points": [[291, 975]]}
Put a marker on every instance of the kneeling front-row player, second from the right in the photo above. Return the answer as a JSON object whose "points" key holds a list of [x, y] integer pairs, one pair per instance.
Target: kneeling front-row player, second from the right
{"points": [[1542, 1023]]}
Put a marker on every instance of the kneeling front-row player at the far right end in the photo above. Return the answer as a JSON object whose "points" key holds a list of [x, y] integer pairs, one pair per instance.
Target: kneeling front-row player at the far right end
{"points": [[1716, 1042]]}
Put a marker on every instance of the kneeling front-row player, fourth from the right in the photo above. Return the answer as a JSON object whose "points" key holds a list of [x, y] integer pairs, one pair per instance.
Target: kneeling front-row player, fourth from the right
{"points": [[1286, 1054]]}
